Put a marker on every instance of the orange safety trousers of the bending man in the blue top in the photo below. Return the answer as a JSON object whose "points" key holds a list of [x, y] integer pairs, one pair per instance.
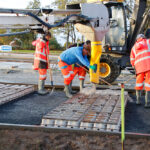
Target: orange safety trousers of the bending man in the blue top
{"points": [[67, 71]]}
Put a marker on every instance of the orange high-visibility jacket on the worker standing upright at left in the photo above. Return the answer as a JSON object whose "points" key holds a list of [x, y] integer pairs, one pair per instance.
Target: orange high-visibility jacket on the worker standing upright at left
{"points": [[41, 52]]}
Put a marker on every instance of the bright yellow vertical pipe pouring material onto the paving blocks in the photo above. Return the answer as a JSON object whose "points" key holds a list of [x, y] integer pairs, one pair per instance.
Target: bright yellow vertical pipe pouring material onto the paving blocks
{"points": [[96, 52]]}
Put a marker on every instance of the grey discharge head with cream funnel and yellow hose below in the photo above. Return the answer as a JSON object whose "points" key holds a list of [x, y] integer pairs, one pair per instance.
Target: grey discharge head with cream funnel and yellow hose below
{"points": [[95, 32]]}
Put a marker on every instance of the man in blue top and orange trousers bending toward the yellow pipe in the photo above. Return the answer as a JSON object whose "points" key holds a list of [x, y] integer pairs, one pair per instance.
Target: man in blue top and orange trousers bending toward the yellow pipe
{"points": [[73, 55]]}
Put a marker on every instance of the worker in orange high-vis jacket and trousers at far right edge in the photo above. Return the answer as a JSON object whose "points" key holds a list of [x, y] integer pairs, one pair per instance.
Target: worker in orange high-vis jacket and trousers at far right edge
{"points": [[140, 60]]}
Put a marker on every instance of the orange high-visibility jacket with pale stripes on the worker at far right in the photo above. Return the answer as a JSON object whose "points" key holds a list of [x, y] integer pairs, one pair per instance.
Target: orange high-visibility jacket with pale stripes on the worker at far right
{"points": [[140, 55]]}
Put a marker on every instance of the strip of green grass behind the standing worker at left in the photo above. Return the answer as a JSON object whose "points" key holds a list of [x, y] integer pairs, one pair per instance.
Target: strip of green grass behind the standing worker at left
{"points": [[52, 52]]}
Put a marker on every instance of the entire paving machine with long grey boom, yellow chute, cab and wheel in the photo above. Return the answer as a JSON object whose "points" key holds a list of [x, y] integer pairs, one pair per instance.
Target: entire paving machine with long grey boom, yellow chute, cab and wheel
{"points": [[102, 21]]}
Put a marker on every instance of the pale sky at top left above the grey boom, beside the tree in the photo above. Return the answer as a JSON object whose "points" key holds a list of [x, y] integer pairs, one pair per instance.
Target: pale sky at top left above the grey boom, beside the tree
{"points": [[20, 3]]}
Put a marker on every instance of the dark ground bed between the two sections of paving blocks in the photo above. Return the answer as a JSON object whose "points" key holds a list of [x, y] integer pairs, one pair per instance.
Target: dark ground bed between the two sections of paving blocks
{"points": [[29, 109]]}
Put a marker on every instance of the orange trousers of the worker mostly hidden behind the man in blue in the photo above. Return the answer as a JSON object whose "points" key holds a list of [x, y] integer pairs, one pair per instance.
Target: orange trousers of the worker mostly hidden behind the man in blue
{"points": [[80, 71]]}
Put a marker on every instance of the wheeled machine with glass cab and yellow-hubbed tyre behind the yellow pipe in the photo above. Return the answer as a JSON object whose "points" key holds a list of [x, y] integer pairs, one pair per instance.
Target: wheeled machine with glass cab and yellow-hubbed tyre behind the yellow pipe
{"points": [[125, 24]]}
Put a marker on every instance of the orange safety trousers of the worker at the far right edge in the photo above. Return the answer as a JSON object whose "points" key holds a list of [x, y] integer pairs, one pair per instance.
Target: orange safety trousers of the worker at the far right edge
{"points": [[141, 77]]}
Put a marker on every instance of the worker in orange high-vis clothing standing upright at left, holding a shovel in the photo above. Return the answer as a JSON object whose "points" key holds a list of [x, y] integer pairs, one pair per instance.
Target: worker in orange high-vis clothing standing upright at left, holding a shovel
{"points": [[40, 60]]}
